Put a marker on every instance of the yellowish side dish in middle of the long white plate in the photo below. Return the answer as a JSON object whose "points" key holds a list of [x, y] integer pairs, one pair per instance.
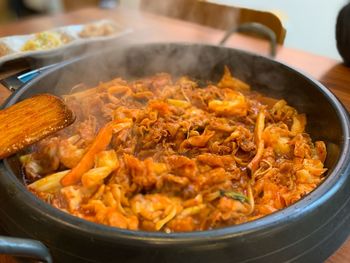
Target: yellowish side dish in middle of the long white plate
{"points": [[46, 40]]}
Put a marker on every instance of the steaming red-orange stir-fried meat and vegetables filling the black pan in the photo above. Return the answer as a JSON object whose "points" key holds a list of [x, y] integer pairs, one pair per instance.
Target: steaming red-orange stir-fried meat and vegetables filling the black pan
{"points": [[159, 154]]}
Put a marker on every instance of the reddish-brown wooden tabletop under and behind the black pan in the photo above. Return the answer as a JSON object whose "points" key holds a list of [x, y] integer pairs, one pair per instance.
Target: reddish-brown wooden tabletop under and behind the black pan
{"points": [[152, 28]]}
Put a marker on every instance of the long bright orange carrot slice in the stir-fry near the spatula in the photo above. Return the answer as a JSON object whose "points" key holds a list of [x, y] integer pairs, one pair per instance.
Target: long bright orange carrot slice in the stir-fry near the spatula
{"points": [[100, 143]]}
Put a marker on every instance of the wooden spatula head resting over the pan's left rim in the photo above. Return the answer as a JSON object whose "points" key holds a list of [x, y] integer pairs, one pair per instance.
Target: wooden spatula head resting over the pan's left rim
{"points": [[30, 121]]}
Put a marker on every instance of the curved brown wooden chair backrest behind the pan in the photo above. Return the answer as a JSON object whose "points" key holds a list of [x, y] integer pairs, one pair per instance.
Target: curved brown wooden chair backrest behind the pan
{"points": [[214, 15]]}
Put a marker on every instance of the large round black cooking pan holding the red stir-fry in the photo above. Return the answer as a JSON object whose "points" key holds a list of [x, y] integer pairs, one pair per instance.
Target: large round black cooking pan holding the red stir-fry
{"points": [[308, 231]]}
